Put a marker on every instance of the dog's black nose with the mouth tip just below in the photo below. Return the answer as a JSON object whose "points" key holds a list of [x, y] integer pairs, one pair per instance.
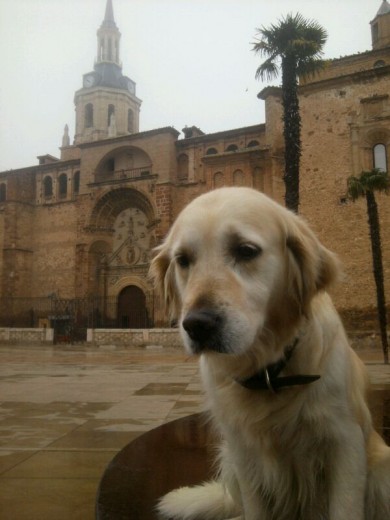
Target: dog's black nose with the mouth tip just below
{"points": [[204, 328]]}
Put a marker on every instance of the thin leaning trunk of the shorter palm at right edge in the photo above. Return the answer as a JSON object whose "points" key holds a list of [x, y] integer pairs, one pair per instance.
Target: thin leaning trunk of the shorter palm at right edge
{"points": [[373, 222]]}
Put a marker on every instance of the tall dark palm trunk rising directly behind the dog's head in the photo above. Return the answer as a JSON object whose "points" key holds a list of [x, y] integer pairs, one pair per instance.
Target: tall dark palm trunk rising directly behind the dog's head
{"points": [[291, 132]]}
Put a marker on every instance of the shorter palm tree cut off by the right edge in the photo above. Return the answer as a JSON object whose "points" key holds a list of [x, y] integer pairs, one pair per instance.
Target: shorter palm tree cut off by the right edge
{"points": [[365, 185]]}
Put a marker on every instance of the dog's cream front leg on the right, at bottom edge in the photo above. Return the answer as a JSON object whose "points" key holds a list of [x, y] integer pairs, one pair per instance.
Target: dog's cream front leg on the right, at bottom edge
{"points": [[348, 476]]}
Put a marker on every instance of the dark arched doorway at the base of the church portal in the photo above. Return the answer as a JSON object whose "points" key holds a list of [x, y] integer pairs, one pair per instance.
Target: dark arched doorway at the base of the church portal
{"points": [[132, 312]]}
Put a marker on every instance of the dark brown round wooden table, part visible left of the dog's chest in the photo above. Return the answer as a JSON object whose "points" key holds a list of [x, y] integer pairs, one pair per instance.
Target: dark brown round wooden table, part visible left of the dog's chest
{"points": [[179, 453]]}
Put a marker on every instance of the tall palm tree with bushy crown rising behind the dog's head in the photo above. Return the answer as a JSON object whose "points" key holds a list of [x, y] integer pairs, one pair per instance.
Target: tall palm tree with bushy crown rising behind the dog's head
{"points": [[294, 48]]}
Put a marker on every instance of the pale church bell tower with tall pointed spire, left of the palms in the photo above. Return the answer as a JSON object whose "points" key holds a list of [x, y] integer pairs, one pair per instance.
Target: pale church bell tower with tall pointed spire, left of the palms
{"points": [[106, 105]]}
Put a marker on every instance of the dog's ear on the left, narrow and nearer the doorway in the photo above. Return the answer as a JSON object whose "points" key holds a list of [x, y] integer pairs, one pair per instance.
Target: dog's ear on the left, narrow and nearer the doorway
{"points": [[162, 273]]}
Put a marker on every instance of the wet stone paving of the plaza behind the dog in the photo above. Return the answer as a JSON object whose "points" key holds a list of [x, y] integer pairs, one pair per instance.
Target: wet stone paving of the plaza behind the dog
{"points": [[66, 411]]}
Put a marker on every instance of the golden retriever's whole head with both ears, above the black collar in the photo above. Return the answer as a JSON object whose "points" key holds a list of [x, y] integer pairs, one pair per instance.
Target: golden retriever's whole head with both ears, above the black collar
{"points": [[237, 268]]}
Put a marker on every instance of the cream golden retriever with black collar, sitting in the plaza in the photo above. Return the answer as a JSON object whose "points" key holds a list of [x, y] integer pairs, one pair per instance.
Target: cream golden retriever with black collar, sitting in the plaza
{"points": [[246, 280]]}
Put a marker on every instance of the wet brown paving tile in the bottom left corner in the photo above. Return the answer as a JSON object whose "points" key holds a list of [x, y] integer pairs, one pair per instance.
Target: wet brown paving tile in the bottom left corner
{"points": [[48, 498]]}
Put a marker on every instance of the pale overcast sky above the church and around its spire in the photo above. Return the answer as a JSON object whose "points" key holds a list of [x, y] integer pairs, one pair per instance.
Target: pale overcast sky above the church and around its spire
{"points": [[191, 60]]}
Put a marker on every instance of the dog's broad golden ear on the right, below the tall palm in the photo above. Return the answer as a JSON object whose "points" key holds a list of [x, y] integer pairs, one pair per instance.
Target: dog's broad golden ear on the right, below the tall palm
{"points": [[311, 267]]}
